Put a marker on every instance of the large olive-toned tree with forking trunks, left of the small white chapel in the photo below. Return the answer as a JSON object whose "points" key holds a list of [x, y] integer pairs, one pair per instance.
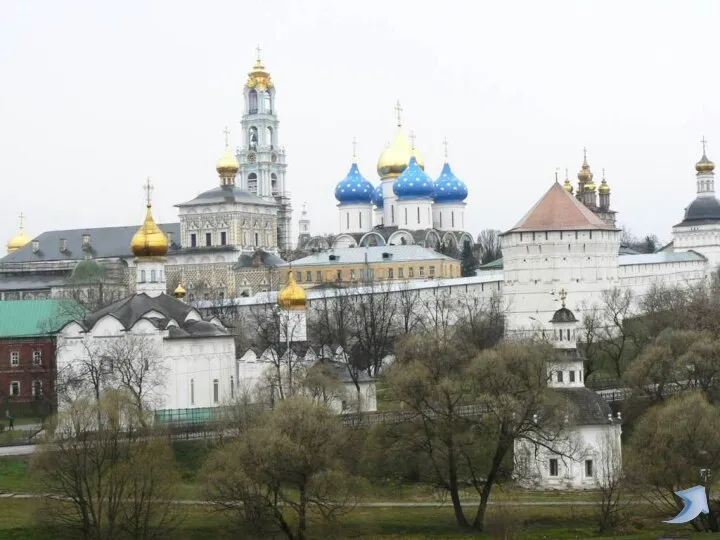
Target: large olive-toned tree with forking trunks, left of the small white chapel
{"points": [[469, 410]]}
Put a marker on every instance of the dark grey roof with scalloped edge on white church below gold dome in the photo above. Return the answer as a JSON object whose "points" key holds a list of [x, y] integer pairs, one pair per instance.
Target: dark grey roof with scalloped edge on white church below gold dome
{"points": [[131, 309]]}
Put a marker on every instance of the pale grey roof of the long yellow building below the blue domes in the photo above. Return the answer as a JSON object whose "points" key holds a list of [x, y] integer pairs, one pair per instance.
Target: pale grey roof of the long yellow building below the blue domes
{"points": [[373, 254]]}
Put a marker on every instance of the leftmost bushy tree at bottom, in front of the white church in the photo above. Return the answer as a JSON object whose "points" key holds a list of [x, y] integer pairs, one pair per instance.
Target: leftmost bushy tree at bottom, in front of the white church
{"points": [[113, 479]]}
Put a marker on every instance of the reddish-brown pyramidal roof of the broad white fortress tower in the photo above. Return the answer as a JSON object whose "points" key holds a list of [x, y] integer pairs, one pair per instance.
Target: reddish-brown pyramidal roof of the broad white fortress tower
{"points": [[557, 210]]}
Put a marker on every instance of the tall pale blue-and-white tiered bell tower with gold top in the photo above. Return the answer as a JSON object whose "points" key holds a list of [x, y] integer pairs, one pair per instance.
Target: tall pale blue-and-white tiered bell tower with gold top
{"points": [[261, 158]]}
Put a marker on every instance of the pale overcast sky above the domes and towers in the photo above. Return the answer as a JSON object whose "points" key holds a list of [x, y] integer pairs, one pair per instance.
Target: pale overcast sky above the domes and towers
{"points": [[95, 96]]}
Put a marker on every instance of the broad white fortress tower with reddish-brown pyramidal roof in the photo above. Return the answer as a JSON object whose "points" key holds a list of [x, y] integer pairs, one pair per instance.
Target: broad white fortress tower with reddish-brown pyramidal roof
{"points": [[558, 244]]}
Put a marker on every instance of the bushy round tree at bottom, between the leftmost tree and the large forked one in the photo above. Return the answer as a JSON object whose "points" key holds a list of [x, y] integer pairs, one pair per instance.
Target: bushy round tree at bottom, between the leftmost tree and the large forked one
{"points": [[284, 471]]}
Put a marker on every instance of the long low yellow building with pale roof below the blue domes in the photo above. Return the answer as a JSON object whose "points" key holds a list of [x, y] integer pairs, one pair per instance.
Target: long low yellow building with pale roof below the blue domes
{"points": [[353, 266]]}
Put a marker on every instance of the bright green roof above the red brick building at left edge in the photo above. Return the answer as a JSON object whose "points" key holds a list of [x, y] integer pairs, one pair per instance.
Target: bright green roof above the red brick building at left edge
{"points": [[26, 318]]}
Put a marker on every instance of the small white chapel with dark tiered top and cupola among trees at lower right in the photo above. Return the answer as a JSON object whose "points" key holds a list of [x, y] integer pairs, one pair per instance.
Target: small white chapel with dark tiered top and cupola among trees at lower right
{"points": [[588, 452]]}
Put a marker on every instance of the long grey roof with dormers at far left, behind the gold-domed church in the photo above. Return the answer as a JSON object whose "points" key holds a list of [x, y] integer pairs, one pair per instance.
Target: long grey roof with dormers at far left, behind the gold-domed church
{"points": [[105, 242]]}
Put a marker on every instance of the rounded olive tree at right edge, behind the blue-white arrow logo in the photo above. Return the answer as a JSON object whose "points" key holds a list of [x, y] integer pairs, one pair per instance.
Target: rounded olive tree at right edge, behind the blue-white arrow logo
{"points": [[668, 448]]}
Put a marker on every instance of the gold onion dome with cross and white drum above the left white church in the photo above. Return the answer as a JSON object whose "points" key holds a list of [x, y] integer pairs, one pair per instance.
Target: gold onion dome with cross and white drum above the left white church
{"points": [[149, 245]]}
